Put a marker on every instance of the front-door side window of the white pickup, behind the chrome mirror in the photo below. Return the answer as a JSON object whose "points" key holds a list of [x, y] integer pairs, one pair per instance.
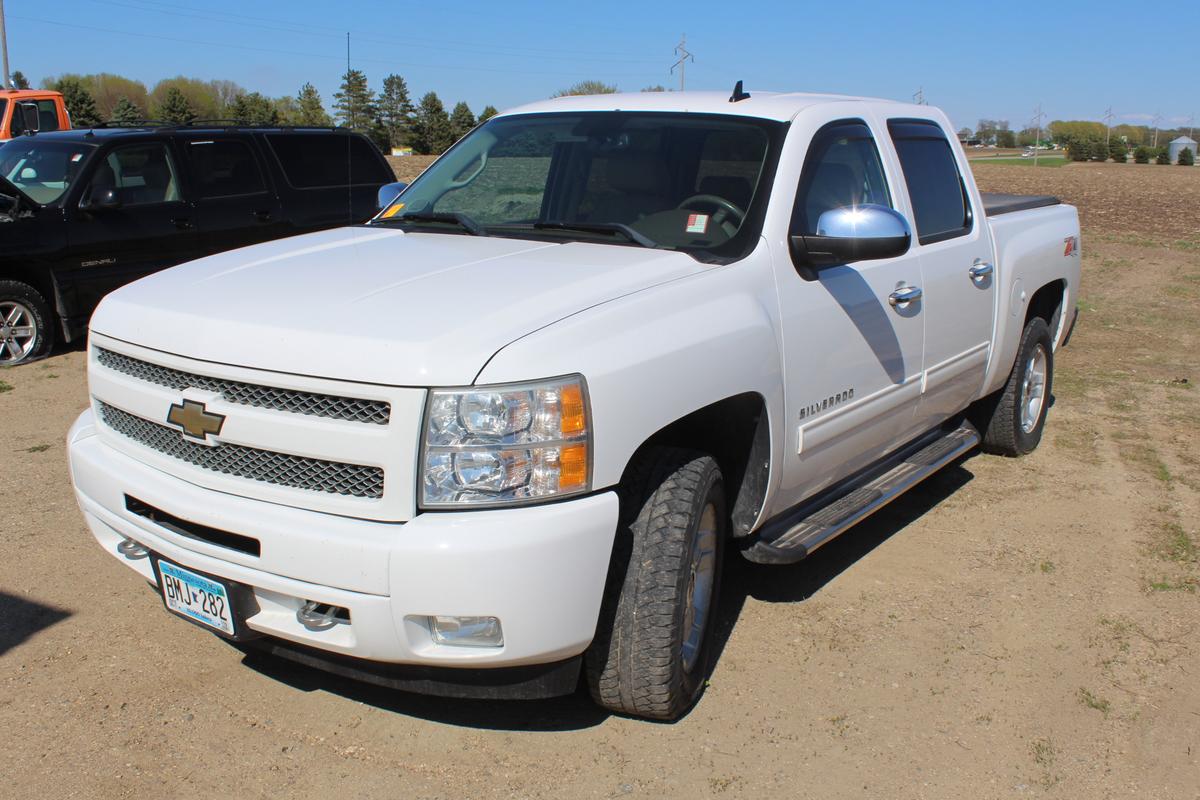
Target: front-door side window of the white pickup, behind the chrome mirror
{"points": [[843, 170]]}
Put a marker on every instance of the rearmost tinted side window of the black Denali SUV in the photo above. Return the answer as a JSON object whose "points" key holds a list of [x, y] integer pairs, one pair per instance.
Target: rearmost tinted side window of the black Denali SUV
{"points": [[320, 161]]}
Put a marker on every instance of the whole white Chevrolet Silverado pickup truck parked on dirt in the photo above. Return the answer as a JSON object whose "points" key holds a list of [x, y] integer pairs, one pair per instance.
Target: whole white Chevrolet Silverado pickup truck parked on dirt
{"points": [[507, 432]]}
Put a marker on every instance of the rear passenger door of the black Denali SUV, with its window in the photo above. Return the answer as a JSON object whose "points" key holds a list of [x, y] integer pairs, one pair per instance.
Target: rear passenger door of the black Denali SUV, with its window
{"points": [[236, 207]]}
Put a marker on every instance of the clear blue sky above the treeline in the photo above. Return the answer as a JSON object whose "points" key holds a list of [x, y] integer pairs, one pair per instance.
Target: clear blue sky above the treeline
{"points": [[975, 61]]}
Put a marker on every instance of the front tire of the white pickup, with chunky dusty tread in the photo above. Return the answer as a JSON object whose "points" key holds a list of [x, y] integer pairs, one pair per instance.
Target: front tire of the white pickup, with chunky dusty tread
{"points": [[653, 646]]}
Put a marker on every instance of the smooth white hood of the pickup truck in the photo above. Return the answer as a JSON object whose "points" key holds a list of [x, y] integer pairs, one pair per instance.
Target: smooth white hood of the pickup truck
{"points": [[376, 305]]}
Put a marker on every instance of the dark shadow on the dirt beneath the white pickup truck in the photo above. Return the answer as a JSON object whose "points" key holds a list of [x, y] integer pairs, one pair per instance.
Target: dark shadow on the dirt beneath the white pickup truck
{"points": [[742, 580]]}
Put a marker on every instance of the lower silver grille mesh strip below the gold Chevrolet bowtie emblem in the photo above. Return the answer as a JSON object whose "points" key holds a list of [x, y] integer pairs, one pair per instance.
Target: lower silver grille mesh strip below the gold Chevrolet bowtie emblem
{"points": [[313, 474]]}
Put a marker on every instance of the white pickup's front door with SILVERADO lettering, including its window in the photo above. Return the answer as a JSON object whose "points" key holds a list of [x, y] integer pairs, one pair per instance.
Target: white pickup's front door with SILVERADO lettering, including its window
{"points": [[853, 359]]}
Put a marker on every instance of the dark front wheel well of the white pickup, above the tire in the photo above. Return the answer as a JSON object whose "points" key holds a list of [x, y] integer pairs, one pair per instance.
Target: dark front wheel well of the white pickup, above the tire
{"points": [[735, 431]]}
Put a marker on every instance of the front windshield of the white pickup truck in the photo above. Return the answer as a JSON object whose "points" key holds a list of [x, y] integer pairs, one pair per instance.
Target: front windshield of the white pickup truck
{"points": [[671, 182]]}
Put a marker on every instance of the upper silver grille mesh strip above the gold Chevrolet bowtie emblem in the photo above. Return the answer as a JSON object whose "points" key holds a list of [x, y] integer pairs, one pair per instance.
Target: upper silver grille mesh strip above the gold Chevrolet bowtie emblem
{"points": [[280, 400]]}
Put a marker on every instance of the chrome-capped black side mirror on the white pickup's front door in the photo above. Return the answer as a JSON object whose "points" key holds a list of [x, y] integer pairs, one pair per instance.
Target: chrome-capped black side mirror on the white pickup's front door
{"points": [[849, 234]]}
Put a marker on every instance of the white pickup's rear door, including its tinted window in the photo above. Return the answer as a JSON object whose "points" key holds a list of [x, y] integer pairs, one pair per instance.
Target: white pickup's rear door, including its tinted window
{"points": [[955, 245]]}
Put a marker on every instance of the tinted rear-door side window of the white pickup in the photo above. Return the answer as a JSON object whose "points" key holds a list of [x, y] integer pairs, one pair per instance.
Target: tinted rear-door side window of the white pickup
{"points": [[935, 187]]}
